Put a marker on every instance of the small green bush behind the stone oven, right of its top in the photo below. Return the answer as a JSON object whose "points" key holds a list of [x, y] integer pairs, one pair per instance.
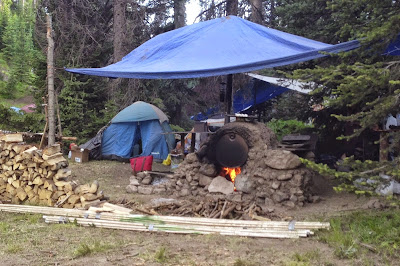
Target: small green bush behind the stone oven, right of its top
{"points": [[285, 127]]}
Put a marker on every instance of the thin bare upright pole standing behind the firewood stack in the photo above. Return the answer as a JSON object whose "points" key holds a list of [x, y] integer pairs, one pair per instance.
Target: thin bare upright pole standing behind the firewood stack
{"points": [[50, 81]]}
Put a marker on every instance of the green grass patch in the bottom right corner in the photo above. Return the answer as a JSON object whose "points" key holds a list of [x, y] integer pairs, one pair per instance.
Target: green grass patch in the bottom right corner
{"points": [[378, 231]]}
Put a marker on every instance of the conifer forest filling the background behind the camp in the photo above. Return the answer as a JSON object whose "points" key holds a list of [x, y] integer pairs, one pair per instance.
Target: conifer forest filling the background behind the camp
{"points": [[354, 91]]}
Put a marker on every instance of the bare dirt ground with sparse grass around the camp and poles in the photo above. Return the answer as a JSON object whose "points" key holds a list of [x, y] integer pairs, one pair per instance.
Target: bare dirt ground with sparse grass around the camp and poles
{"points": [[29, 241]]}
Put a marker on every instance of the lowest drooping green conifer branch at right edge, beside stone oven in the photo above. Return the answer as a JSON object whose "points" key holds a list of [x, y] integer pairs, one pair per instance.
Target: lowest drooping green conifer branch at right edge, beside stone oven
{"points": [[360, 177]]}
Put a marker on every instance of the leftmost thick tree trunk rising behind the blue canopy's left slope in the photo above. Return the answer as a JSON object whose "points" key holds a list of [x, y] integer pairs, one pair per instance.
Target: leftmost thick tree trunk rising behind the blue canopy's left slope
{"points": [[119, 29]]}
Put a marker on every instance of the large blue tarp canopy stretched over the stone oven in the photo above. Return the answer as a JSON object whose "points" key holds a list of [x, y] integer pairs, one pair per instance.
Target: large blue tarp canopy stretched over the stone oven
{"points": [[220, 46]]}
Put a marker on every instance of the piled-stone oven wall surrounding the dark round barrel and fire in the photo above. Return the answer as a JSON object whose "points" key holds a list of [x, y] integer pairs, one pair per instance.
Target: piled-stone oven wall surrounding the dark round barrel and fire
{"points": [[270, 177]]}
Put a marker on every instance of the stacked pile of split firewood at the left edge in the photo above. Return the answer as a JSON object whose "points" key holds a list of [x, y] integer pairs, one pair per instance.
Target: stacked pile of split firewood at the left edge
{"points": [[40, 177]]}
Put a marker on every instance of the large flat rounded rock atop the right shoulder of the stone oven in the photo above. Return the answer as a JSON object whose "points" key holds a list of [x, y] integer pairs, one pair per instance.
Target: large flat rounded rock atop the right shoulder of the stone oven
{"points": [[282, 160]]}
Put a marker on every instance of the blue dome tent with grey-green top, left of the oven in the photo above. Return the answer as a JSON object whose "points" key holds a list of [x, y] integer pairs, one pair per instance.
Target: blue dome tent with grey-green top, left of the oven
{"points": [[139, 126]]}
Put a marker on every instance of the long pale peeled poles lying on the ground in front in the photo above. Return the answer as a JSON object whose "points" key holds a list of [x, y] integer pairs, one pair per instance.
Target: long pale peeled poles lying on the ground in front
{"points": [[116, 217]]}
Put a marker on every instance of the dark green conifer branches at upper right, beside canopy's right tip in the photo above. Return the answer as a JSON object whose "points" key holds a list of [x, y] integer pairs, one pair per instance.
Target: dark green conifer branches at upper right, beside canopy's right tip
{"points": [[356, 88]]}
